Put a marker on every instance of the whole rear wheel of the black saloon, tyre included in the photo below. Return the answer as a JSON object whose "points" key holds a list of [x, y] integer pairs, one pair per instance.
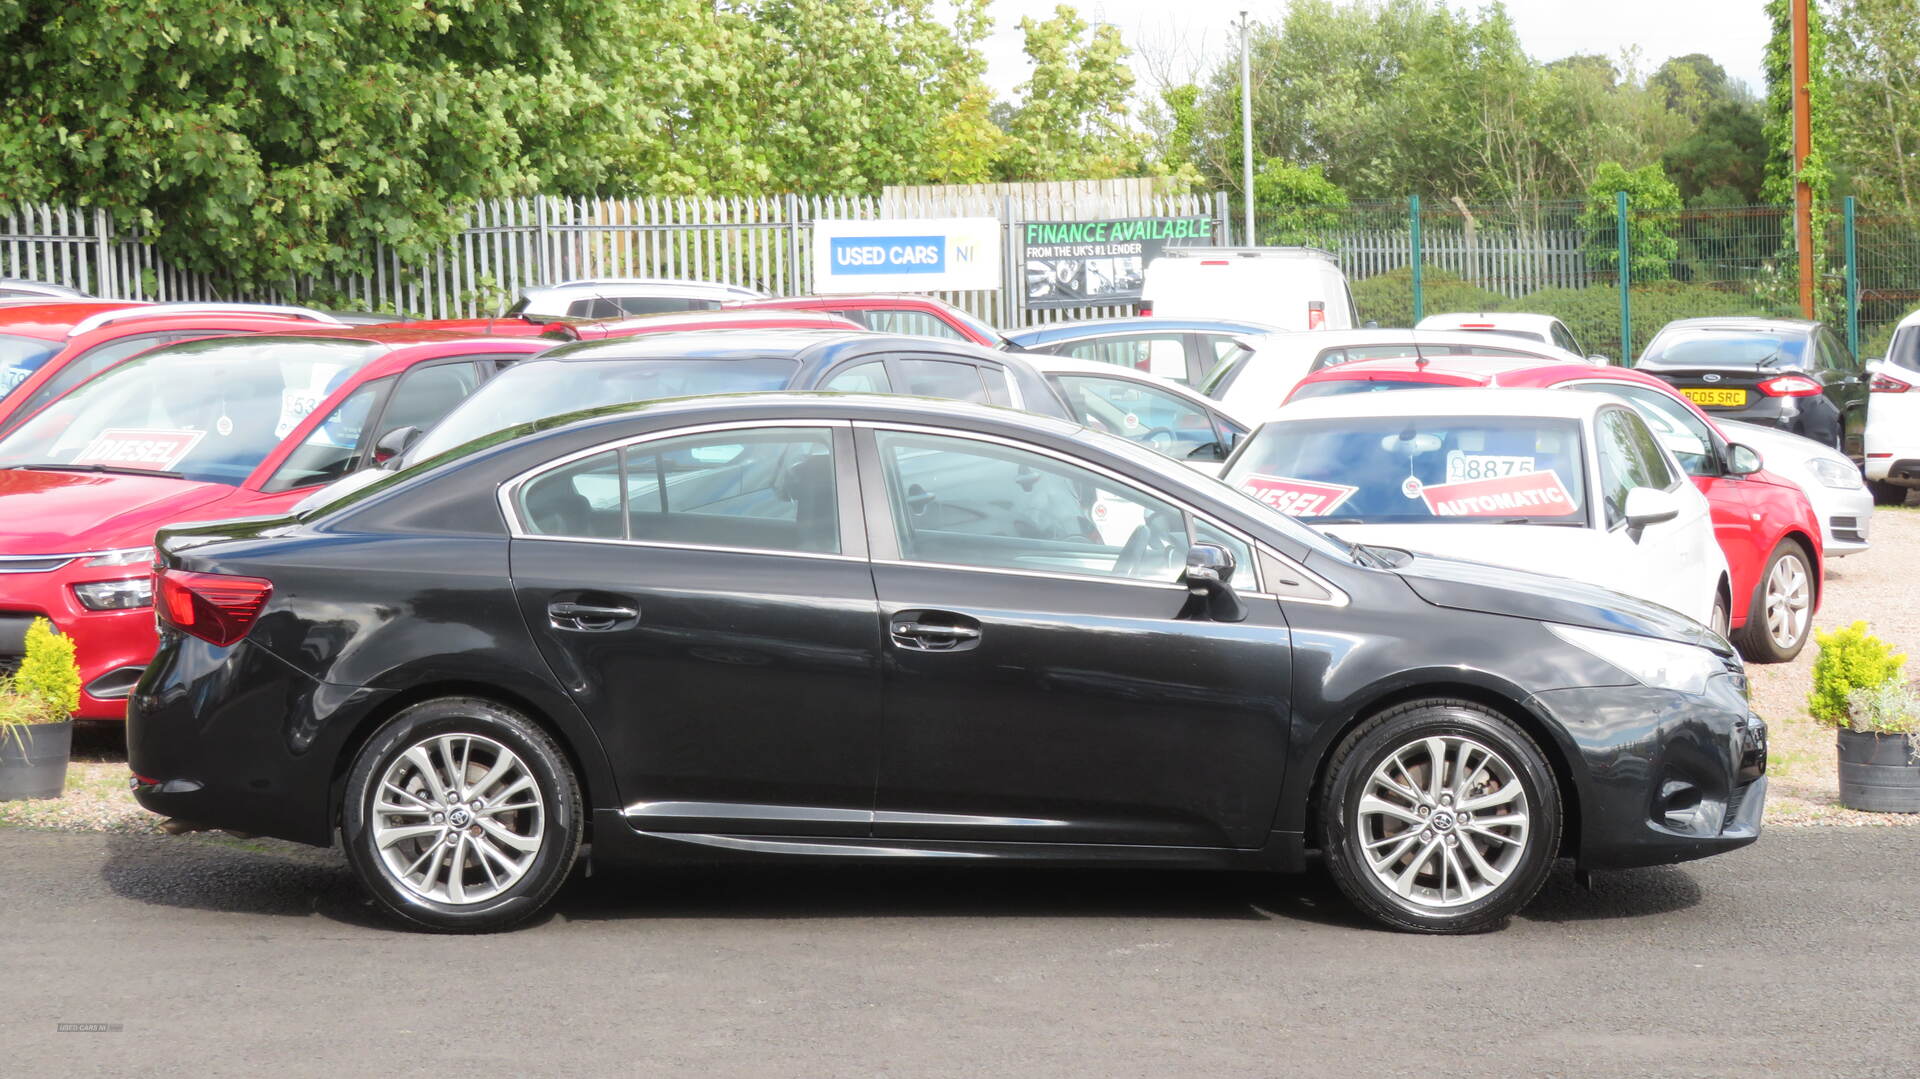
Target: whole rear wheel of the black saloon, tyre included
{"points": [[462, 817]]}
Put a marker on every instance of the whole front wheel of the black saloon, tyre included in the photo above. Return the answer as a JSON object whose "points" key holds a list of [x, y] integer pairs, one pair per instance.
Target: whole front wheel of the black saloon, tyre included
{"points": [[1439, 817]]}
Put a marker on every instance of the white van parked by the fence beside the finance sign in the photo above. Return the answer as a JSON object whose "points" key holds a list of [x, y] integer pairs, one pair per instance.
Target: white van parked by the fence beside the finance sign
{"points": [[1295, 289]]}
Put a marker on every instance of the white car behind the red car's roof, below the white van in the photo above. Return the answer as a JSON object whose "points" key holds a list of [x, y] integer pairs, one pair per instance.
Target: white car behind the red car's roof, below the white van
{"points": [[1255, 381]]}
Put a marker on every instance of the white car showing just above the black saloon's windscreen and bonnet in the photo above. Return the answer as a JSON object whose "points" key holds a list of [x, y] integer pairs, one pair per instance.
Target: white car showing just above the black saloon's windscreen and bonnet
{"points": [[1149, 410]]}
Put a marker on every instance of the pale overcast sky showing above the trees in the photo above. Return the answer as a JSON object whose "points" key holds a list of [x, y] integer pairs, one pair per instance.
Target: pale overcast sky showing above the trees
{"points": [[1731, 32]]}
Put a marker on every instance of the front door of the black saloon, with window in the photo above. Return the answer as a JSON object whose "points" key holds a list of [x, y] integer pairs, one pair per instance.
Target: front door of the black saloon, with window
{"points": [[1040, 681]]}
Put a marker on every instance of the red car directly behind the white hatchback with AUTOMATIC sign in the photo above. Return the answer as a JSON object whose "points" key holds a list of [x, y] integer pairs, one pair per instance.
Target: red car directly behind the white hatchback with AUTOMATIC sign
{"points": [[1765, 525]]}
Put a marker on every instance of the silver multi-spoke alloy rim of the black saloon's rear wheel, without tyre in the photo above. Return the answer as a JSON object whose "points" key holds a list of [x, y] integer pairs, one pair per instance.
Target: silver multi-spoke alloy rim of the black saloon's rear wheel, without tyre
{"points": [[458, 819]]}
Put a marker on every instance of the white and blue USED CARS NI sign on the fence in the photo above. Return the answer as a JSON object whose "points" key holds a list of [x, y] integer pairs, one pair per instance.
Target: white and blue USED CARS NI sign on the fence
{"points": [[923, 254]]}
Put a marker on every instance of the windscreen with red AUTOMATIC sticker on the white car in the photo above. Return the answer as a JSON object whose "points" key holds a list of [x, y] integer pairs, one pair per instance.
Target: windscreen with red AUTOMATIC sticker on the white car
{"points": [[1418, 471]]}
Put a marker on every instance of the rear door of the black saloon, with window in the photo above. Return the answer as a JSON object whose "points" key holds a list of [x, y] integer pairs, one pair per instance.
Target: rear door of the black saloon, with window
{"points": [[708, 602]]}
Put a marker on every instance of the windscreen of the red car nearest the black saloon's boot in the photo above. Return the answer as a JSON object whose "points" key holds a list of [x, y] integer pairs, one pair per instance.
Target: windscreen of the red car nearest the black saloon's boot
{"points": [[208, 410]]}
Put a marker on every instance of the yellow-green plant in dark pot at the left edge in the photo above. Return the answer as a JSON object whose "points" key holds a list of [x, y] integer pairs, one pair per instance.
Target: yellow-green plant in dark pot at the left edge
{"points": [[37, 717]]}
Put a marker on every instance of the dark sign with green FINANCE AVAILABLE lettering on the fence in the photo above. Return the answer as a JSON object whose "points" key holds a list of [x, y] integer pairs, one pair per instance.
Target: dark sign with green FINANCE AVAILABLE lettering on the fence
{"points": [[1072, 264]]}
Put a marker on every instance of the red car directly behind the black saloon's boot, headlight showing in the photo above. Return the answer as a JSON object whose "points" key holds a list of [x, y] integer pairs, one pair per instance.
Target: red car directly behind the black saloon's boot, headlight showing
{"points": [[199, 431]]}
